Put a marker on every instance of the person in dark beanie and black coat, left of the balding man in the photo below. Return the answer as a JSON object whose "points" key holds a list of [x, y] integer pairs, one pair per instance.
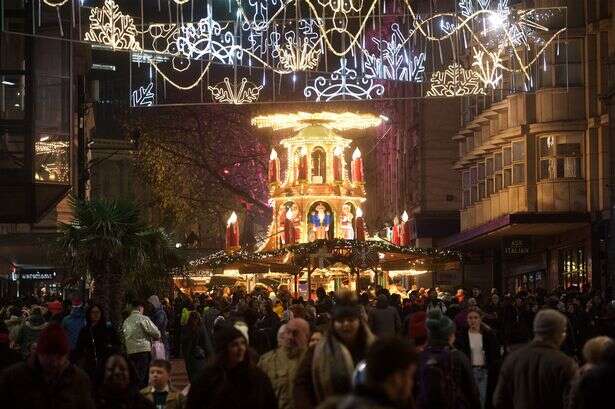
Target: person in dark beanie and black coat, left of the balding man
{"points": [[232, 380]]}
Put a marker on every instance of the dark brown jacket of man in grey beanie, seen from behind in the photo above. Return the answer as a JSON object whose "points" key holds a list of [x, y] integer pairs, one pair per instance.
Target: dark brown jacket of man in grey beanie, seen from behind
{"points": [[536, 376]]}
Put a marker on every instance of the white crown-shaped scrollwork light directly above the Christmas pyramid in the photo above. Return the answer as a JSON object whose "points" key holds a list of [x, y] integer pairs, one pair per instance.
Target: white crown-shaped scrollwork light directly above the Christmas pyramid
{"points": [[343, 83]]}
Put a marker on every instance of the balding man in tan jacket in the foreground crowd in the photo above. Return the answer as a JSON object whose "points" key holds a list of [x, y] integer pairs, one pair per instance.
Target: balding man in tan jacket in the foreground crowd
{"points": [[281, 363]]}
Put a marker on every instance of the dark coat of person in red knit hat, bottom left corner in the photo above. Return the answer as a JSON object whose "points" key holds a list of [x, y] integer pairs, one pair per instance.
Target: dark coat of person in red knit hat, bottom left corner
{"points": [[24, 386]]}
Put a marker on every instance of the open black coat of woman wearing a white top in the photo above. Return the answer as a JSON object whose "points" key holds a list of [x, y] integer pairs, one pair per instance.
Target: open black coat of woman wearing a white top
{"points": [[493, 358]]}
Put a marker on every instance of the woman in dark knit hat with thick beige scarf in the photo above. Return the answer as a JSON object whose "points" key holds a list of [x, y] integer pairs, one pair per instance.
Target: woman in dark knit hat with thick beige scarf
{"points": [[326, 369]]}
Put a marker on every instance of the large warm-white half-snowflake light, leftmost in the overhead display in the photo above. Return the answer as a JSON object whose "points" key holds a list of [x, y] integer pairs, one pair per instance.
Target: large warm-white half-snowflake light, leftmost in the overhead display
{"points": [[108, 26]]}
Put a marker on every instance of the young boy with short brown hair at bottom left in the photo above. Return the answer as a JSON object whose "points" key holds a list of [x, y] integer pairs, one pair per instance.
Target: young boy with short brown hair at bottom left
{"points": [[159, 390]]}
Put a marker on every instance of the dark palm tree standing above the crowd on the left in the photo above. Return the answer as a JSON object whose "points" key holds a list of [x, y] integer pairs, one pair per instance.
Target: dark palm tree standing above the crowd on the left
{"points": [[109, 240]]}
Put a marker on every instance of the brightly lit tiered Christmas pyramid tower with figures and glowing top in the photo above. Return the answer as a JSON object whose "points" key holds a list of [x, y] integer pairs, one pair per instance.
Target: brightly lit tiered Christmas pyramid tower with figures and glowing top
{"points": [[319, 196]]}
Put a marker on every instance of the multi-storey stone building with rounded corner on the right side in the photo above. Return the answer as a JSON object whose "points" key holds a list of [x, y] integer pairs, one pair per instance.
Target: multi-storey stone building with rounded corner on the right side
{"points": [[535, 167]]}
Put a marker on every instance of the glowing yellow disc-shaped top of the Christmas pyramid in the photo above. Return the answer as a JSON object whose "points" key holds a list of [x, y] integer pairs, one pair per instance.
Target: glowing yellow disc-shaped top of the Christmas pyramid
{"points": [[333, 120]]}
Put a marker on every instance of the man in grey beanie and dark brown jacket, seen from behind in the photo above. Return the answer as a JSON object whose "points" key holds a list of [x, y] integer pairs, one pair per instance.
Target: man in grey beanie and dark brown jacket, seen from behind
{"points": [[541, 361]]}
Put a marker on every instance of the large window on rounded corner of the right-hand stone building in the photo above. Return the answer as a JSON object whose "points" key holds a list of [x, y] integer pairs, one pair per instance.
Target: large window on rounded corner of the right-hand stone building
{"points": [[560, 157]]}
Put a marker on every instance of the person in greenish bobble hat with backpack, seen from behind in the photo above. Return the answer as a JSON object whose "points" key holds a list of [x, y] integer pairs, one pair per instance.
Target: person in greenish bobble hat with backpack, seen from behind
{"points": [[445, 373]]}
